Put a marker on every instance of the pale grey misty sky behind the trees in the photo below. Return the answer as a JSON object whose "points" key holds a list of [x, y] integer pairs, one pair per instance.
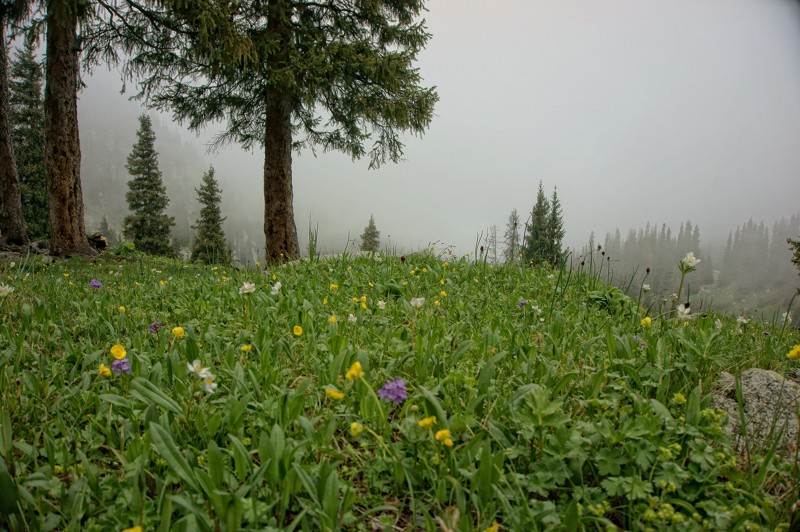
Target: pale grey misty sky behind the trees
{"points": [[657, 110]]}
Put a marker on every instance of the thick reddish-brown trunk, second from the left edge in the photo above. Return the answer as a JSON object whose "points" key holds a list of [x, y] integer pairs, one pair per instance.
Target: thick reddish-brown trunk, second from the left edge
{"points": [[62, 157]]}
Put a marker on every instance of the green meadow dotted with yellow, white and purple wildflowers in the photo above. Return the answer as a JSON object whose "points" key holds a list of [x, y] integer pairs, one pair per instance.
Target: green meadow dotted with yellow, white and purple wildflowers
{"points": [[362, 393]]}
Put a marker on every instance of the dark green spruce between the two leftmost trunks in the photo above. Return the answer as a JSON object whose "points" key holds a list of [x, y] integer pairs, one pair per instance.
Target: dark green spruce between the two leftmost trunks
{"points": [[26, 115]]}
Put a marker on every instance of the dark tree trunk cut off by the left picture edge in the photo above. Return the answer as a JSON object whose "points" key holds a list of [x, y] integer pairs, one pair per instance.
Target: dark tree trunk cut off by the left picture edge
{"points": [[12, 225]]}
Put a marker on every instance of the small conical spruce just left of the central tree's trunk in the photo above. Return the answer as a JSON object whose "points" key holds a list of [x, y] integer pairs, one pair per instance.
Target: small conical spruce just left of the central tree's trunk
{"points": [[209, 244]]}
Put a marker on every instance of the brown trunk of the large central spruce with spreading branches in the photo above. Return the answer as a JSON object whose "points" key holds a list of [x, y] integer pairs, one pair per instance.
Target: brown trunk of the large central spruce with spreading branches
{"points": [[279, 227]]}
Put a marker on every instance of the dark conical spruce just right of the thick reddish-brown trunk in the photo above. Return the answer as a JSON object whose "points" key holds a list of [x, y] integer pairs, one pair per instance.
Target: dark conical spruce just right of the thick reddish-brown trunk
{"points": [[147, 226]]}
